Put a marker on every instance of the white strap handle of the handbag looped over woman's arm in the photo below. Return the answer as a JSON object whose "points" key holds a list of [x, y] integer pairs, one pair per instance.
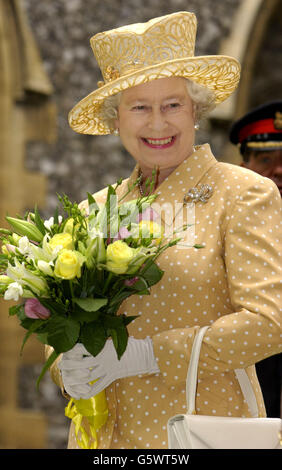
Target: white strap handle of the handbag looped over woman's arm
{"points": [[192, 378]]}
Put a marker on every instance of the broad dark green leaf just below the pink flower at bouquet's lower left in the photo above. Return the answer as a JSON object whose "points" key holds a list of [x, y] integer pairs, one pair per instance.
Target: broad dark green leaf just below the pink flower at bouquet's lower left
{"points": [[62, 333]]}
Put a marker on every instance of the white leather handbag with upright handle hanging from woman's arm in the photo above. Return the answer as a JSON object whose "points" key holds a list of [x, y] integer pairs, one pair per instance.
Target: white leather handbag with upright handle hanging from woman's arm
{"points": [[191, 431]]}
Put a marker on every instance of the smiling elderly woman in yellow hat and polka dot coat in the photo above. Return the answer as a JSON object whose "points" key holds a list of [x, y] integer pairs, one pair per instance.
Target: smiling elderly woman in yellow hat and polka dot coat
{"points": [[154, 93]]}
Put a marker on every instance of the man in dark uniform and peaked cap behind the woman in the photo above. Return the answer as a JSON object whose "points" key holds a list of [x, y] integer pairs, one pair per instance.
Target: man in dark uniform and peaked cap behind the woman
{"points": [[258, 135]]}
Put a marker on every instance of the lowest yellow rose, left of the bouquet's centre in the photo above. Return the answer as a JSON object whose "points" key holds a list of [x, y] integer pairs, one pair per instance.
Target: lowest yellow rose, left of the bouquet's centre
{"points": [[68, 264]]}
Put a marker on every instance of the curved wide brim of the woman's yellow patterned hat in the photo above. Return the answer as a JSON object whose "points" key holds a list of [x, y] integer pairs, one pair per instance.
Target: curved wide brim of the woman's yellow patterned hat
{"points": [[221, 74]]}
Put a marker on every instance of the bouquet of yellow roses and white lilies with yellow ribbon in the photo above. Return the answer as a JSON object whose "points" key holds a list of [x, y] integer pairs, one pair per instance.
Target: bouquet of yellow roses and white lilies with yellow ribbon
{"points": [[73, 271]]}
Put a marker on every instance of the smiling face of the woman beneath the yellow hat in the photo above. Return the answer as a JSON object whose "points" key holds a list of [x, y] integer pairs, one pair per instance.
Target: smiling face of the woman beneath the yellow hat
{"points": [[156, 123]]}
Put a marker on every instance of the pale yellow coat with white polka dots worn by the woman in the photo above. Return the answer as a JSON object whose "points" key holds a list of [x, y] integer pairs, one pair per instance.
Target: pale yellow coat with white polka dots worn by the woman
{"points": [[232, 284]]}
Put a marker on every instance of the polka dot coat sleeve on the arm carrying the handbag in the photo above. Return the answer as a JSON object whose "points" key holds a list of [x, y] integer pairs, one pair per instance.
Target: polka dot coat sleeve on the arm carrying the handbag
{"points": [[252, 256]]}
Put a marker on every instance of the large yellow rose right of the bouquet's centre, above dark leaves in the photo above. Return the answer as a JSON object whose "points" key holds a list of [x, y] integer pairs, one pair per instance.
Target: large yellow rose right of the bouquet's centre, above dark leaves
{"points": [[119, 255]]}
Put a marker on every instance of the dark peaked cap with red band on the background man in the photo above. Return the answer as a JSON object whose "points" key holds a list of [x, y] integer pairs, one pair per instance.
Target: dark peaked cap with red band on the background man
{"points": [[260, 129]]}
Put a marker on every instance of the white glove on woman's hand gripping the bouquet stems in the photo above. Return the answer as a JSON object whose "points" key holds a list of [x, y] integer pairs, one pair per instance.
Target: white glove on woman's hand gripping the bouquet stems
{"points": [[78, 367]]}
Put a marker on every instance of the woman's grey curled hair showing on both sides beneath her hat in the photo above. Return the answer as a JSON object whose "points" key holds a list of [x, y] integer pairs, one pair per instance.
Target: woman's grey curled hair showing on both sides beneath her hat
{"points": [[203, 99]]}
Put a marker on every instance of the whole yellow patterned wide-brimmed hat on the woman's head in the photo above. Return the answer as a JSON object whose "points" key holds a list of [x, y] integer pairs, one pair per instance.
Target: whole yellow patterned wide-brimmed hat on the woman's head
{"points": [[139, 53]]}
